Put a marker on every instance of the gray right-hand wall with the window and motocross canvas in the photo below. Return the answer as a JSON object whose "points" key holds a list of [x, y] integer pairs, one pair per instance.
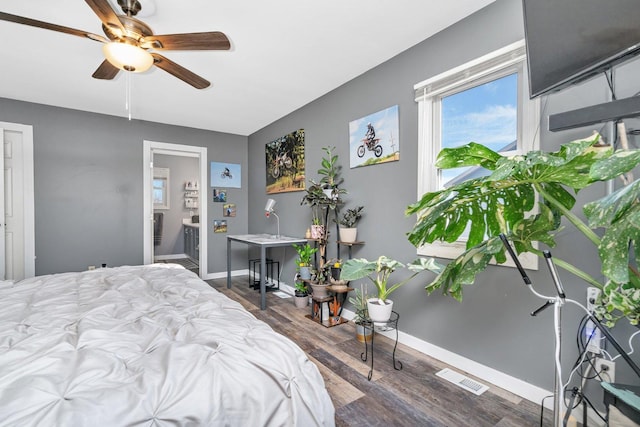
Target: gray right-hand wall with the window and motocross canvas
{"points": [[492, 325]]}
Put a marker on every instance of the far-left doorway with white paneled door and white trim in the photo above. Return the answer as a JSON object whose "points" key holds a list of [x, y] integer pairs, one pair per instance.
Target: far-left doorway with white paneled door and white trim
{"points": [[17, 237]]}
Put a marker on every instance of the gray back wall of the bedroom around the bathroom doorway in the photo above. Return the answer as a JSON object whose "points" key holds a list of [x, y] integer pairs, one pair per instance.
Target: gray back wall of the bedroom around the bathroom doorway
{"points": [[88, 185]]}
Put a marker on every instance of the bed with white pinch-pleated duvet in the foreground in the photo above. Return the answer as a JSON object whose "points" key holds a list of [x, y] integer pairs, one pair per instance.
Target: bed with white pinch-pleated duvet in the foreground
{"points": [[147, 345]]}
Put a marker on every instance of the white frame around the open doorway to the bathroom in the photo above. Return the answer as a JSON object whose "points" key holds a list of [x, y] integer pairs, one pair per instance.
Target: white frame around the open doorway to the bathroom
{"points": [[154, 147]]}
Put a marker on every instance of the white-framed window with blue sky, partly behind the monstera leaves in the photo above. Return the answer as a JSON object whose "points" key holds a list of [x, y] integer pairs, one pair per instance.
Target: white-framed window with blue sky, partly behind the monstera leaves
{"points": [[485, 101]]}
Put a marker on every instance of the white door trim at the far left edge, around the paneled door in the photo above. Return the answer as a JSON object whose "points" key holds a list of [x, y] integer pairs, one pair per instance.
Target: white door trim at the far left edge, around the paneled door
{"points": [[28, 194]]}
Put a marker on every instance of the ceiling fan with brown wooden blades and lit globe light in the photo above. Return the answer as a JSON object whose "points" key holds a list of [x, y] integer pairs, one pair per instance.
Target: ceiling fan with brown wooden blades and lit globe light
{"points": [[130, 43]]}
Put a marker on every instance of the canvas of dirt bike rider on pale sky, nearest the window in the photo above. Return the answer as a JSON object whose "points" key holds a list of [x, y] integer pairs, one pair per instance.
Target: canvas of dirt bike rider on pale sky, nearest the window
{"points": [[374, 139]]}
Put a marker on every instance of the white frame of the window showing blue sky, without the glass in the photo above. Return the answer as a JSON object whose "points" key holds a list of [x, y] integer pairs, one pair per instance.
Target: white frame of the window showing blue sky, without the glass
{"points": [[429, 93]]}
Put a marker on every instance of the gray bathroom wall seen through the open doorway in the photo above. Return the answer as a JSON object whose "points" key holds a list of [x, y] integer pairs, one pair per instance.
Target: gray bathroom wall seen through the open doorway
{"points": [[181, 170]]}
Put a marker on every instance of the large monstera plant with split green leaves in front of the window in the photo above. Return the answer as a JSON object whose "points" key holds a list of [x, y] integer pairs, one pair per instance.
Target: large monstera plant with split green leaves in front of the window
{"points": [[504, 201]]}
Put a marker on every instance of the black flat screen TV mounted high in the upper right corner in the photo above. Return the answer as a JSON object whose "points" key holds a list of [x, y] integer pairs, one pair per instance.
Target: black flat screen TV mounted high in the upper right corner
{"points": [[569, 41]]}
